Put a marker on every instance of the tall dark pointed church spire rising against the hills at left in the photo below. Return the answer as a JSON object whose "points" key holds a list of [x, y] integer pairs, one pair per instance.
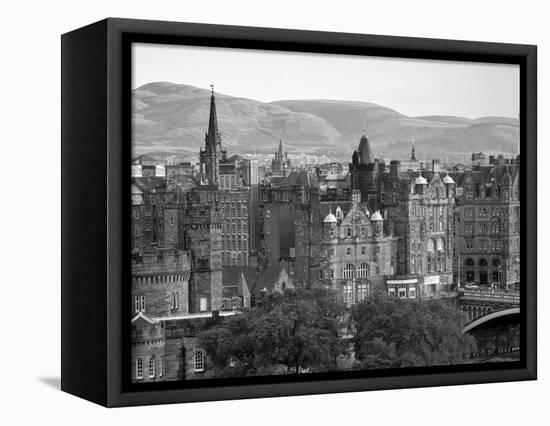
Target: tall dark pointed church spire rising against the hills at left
{"points": [[212, 154]]}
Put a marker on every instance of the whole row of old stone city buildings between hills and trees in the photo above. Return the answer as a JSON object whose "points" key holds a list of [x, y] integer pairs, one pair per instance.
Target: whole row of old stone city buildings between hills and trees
{"points": [[207, 245]]}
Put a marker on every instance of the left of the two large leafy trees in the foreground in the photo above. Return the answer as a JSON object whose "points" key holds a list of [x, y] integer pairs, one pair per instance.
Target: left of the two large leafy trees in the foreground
{"points": [[293, 332]]}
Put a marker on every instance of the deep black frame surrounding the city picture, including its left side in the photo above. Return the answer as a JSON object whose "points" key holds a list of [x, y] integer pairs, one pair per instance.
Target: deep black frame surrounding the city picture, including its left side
{"points": [[96, 90]]}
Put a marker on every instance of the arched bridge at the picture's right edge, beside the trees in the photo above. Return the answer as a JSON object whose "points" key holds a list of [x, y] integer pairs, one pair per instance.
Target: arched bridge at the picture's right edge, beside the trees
{"points": [[482, 305]]}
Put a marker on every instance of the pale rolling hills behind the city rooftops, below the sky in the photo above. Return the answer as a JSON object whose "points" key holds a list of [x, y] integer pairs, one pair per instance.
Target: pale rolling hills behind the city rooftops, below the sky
{"points": [[170, 117]]}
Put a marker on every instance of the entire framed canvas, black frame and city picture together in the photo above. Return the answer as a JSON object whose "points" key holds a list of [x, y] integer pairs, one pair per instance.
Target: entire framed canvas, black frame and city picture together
{"points": [[255, 212]]}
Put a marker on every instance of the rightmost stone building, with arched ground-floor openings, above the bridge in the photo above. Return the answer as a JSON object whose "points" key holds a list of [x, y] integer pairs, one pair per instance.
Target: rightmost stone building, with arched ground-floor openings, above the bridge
{"points": [[487, 223]]}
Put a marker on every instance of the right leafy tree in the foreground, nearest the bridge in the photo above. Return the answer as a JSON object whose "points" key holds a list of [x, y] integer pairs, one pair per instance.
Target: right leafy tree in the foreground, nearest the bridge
{"points": [[393, 332]]}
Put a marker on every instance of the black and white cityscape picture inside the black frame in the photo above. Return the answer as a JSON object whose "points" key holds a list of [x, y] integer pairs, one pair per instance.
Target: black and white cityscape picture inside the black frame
{"points": [[296, 213]]}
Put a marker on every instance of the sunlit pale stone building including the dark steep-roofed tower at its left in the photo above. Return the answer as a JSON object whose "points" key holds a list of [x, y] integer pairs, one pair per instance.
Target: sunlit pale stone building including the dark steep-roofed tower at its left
{"points": [[418, 207]]}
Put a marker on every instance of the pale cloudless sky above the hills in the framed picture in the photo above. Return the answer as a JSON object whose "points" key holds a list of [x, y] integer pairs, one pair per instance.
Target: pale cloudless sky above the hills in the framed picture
{"points": [[411, 87]]}
